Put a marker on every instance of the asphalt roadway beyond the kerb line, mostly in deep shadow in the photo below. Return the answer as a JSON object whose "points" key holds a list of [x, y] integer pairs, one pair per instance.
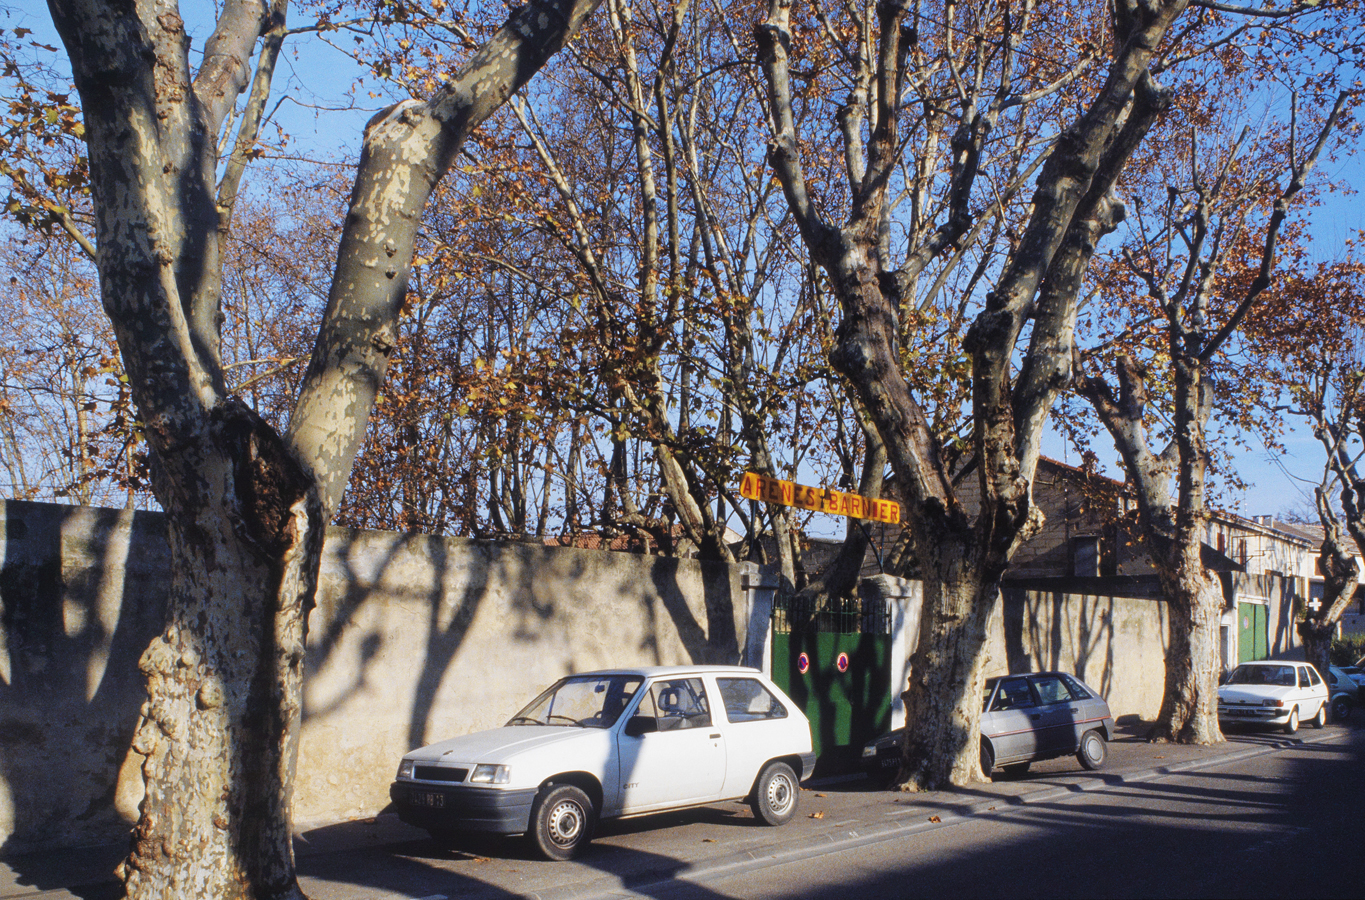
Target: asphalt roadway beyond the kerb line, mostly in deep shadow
{"points": [[1277, 826]]}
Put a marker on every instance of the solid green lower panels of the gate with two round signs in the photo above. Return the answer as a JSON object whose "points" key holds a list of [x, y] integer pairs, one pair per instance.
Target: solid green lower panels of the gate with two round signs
{"points": [[847, 709]]}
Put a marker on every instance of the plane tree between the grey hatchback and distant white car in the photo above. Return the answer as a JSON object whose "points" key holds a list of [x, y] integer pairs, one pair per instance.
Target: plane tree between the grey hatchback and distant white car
{"points": [[1198, 262]]}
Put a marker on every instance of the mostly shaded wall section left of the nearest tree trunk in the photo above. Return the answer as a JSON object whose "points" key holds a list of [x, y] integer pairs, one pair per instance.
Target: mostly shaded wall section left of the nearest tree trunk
{"points": [[70, 689]]}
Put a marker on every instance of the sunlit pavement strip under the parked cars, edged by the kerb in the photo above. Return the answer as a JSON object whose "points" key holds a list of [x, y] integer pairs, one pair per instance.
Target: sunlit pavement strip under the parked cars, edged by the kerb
{"points": [[843, 812]]}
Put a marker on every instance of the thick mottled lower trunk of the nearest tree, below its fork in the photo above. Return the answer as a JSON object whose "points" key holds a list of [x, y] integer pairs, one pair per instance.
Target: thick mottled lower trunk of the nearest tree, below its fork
{"points": [[219, 734]]}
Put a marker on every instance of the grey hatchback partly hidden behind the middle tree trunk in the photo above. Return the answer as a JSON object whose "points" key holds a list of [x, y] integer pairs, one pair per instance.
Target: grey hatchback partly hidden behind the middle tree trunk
{"points": [[1024, 719]]}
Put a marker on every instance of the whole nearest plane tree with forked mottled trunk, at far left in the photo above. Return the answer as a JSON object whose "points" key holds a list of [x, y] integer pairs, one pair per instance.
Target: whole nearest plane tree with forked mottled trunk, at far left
{"points": [[246, 503]]}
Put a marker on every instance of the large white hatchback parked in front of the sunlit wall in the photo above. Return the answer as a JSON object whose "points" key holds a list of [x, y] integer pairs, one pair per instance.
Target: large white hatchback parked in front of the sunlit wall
{"points": [[612, 744]]}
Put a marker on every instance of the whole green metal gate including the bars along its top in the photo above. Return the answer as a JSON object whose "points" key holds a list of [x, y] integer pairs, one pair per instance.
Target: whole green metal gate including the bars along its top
{"points": [[833, 660]]}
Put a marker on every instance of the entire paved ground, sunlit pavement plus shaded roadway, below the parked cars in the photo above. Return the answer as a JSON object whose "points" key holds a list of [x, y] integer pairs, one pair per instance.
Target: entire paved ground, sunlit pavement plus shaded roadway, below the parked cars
{"points": [[1262, 816]]}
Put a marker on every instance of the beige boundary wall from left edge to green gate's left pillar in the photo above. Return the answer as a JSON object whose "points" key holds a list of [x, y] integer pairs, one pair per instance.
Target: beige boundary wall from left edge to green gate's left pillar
{"points": [[414, 640]]}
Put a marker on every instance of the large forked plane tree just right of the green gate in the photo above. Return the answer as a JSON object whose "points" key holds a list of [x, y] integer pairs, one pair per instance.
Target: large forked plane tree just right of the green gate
{"points": [[982, 150]]}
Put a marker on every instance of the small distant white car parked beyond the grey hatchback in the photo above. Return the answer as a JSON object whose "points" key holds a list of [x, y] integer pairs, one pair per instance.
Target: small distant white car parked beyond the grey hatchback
{"points": [[1273, 693]]}
